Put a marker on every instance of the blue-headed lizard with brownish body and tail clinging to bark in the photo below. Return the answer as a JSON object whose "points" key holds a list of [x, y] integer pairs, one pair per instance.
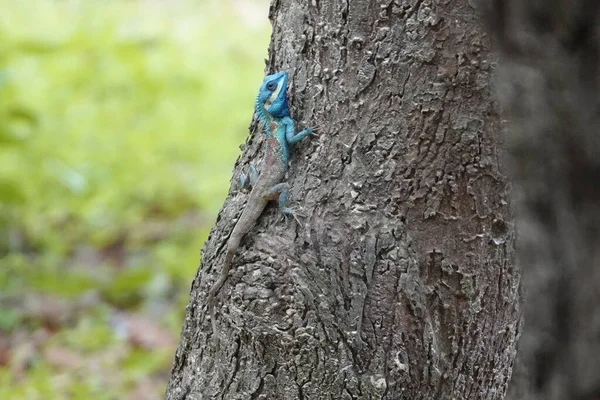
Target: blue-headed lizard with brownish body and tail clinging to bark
{"points": [[274, 114]]}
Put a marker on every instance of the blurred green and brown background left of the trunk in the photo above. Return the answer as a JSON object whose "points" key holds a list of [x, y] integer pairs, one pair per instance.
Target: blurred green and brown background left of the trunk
{"points": [[120, 121]]}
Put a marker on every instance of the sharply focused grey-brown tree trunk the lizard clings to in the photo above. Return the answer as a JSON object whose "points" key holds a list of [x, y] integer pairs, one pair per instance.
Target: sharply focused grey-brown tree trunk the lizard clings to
{"points": [[401, 283]]}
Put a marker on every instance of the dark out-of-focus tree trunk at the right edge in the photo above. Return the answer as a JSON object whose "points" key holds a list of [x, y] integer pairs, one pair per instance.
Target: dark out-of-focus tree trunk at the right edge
{"points": [[550, 88]]}
